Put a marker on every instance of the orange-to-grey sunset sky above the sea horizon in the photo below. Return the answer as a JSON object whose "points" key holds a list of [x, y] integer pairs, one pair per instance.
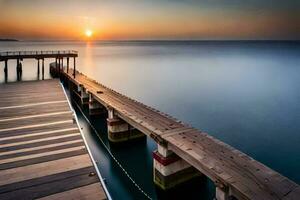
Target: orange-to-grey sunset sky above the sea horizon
{"points": [[150, 19]]}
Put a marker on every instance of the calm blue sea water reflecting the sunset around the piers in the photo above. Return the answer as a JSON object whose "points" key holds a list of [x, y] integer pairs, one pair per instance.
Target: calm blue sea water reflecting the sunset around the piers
{"points": [[245, 93]]}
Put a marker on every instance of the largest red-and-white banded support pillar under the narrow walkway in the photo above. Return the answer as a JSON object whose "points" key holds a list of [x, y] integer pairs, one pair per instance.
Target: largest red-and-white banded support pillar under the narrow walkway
{"points": [[170, 170]]}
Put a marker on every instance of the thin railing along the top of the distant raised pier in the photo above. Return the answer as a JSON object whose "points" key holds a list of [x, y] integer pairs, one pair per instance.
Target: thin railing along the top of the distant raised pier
{"points": [[16, 53]]}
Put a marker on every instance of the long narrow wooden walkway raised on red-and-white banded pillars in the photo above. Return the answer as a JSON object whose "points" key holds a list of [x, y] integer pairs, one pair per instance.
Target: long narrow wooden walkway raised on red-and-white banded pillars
{"points": [[244, 177]]}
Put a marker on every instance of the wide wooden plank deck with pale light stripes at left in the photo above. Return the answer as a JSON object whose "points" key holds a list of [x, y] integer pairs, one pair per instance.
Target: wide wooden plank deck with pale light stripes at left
{"points": [[42, 153]]}
